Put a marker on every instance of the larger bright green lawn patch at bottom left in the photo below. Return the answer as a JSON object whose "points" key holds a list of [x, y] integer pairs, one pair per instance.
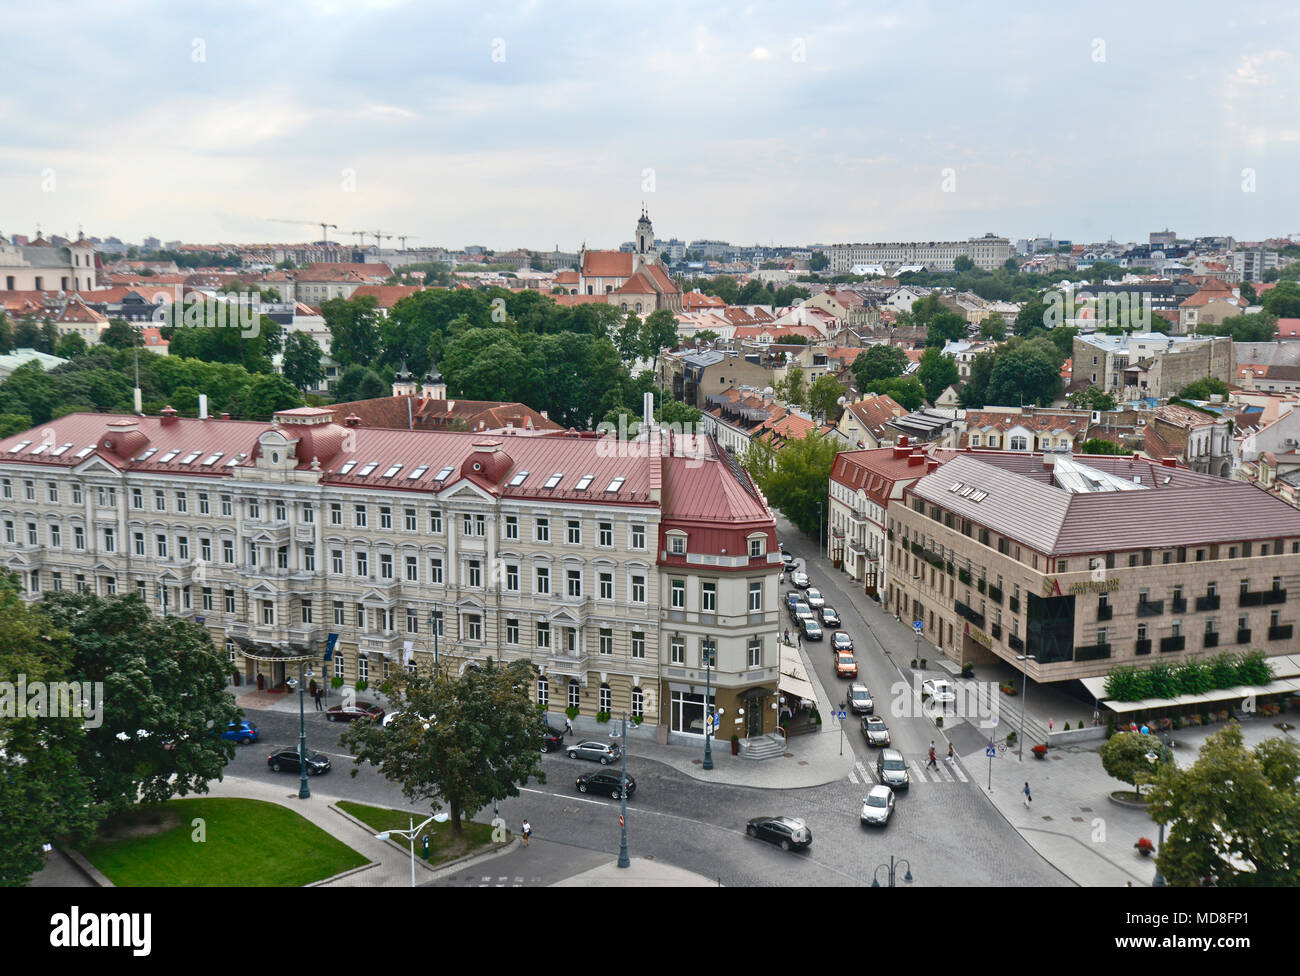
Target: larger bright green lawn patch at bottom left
{"points": [[248, 843]]}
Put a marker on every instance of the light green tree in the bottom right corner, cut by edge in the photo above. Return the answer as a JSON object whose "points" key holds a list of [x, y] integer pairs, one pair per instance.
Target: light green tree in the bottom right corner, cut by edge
{"points": [[1238, 838]]}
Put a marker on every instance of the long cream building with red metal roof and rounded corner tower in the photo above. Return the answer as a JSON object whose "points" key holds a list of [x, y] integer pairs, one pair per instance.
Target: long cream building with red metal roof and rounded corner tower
{"points": [[610, 567]]}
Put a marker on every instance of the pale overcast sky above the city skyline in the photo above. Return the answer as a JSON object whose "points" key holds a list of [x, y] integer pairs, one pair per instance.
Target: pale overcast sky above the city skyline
{"points": [[547, 124]]}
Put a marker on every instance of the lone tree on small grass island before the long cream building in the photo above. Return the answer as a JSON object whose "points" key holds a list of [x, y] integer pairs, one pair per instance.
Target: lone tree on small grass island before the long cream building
{"points": [[466, 741]]}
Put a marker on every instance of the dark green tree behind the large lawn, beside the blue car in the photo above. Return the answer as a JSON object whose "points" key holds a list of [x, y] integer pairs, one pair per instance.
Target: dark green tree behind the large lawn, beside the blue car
{"points": [[163, 678]]}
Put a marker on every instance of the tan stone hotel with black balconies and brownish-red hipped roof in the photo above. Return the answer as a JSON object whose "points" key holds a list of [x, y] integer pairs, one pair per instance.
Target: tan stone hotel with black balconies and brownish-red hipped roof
{"points": [[1091, 562]]}
